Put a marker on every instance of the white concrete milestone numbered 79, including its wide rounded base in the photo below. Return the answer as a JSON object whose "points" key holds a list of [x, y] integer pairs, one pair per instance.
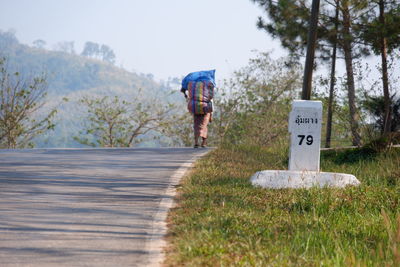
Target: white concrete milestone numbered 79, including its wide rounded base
{"points": [[305, 122]]}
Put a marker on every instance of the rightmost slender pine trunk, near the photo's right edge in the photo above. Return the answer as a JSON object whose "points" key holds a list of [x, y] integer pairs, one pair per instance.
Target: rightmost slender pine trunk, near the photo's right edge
{"points": [[385, 80]]}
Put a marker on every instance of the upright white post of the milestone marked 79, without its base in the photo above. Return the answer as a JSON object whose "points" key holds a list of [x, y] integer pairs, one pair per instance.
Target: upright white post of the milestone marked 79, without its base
{"points": [[305, 122]]}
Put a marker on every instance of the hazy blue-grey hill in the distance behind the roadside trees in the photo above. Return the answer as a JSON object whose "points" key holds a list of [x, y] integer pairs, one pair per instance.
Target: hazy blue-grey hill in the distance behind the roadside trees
{"points": [[73, 76]]}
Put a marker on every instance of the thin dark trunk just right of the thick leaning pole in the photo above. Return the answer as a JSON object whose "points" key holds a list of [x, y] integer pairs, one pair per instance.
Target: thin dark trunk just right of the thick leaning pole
{"points": [[332, 83]]}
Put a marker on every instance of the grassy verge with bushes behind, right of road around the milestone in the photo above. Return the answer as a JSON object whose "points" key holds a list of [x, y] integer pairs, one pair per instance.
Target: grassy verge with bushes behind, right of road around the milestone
{"points": [[222, 220]]}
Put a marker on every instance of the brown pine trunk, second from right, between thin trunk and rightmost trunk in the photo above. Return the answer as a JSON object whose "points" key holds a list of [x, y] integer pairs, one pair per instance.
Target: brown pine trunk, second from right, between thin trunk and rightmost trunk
{"points": [[347, 48]]}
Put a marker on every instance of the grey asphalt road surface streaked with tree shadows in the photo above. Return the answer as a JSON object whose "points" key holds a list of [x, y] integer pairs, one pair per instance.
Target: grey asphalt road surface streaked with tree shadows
{"points": [[85, 207]]}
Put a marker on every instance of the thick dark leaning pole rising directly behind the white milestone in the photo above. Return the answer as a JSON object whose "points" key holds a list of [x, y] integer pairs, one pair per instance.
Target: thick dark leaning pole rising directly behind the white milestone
{"points": [[311, 43]]}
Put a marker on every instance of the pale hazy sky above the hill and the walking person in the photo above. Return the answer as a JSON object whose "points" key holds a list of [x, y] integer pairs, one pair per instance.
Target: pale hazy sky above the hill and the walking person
{"points": [[166, 38]]}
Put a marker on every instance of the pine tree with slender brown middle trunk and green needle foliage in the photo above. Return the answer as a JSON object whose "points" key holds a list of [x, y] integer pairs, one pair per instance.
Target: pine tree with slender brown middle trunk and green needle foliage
{"points": [[289, 22]]}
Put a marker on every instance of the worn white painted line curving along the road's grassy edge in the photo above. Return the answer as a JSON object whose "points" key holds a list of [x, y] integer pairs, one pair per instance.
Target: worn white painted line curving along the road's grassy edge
{"points": [[156, 243]]}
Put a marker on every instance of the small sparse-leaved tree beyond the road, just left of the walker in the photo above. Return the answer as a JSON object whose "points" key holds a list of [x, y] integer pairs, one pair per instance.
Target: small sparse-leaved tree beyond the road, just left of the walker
{"points": [[112, 122]]}
